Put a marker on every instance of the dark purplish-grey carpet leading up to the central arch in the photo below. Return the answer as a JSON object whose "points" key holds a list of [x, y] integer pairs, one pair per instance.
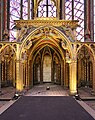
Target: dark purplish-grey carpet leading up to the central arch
{"points": [[45, 108]]}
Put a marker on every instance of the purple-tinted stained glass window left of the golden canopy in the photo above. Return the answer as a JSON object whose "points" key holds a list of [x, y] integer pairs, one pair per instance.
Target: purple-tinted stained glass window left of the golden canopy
{"points": [[15, 14]]}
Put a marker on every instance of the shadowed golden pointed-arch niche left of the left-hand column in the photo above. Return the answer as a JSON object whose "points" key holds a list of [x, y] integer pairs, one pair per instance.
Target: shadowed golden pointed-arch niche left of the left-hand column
{"points": [[7, 59]]}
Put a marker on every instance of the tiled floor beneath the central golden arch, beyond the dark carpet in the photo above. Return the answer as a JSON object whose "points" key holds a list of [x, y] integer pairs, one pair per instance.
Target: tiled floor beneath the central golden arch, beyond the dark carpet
{"points": [[41, 90]]}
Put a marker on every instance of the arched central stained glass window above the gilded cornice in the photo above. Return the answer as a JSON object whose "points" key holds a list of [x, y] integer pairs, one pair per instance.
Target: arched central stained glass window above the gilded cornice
{"points": [[46, 8]]}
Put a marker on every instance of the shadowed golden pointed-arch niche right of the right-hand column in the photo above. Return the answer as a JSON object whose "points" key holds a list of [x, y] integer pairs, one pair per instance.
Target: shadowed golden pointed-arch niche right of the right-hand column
{"points": [[85, 61]]}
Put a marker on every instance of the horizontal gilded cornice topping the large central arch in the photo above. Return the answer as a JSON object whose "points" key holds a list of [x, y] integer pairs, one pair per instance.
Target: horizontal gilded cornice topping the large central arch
{"points": [[45, 22]]}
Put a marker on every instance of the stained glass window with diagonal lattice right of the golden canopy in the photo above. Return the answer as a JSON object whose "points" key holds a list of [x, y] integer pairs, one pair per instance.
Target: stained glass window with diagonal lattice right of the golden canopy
{"points": [[78, 15]]}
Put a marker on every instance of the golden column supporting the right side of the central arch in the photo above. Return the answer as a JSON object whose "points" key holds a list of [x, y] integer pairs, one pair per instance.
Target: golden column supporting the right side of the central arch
{"points": [[73, 77]]}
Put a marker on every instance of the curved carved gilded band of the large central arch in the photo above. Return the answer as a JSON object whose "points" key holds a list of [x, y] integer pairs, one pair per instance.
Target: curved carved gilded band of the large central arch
{"points": [[46, 33]]}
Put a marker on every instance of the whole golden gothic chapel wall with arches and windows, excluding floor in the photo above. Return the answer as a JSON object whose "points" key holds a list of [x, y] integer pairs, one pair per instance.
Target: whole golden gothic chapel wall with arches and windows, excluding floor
{"points": [[47, 41]]}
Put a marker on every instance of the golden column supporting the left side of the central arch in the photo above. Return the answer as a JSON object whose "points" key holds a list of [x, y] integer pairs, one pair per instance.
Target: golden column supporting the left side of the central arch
{"points": [[19, 66]]}
